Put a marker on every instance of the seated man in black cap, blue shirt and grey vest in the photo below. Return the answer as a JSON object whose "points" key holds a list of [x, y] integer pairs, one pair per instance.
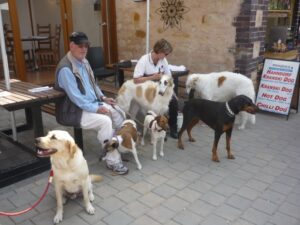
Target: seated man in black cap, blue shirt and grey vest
{"points": [[85, 105]]}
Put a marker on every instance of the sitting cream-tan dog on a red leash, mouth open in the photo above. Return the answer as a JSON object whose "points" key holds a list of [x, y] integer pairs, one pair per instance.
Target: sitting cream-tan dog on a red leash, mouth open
{"points": [[71, 173]]}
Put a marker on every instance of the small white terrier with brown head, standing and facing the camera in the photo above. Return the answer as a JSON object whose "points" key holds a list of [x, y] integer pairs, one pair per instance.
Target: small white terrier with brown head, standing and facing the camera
{"points": [[157, 126]]}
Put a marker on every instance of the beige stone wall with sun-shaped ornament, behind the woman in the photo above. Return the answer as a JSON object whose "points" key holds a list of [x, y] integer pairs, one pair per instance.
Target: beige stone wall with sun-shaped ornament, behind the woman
{"points": [[204, 43]]}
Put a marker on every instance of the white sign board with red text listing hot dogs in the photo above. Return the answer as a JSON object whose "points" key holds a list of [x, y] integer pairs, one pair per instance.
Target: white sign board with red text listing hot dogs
{"points": [[277, 86]]}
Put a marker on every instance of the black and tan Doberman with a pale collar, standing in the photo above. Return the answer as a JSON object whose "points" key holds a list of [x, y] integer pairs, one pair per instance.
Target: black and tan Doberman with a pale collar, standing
{"points": [[219, 116]]}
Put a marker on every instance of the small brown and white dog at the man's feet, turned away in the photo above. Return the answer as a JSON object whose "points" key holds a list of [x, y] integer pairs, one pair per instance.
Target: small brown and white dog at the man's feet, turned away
{"points": [[125, 140]]}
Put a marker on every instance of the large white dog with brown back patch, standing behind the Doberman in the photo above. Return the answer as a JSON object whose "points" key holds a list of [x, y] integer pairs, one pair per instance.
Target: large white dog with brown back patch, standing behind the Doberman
{"points": [[222, 86]]}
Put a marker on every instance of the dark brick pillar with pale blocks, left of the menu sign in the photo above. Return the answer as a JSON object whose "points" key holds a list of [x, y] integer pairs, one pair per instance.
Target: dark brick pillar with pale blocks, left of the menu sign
{"points": [[250, 36]]}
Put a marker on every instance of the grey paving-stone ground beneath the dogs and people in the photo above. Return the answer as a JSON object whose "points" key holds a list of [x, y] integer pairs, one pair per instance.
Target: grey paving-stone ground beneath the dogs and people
{"points": [[260, 187]]}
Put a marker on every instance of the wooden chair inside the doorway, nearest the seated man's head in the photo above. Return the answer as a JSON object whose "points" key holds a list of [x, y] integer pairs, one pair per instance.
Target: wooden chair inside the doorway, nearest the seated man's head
{"points": [[49, 58]]}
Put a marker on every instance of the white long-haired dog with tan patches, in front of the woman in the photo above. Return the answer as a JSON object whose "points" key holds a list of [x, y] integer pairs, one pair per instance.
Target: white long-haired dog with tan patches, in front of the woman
{"points": [[150, 95]]}
